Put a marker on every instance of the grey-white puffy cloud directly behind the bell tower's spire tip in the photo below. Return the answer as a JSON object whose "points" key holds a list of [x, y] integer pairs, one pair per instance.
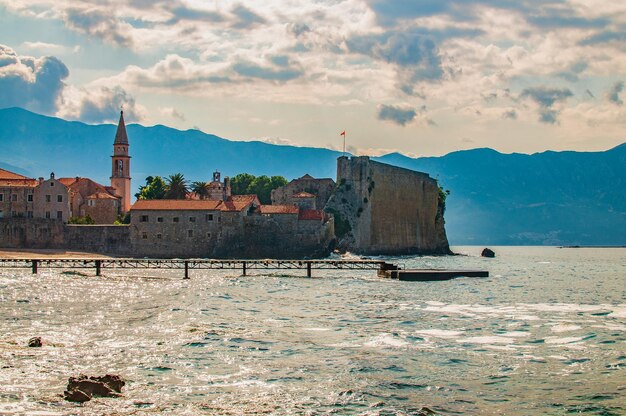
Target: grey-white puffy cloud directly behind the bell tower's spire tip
{"points": [[99, 104]]}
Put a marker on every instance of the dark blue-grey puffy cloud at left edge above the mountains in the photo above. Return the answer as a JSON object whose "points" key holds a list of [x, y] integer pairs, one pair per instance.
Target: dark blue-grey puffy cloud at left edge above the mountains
{"points": [[32, 83]]}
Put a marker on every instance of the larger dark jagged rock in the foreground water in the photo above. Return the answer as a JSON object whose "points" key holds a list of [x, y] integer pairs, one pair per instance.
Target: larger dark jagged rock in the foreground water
{"points": [[83, 388]]}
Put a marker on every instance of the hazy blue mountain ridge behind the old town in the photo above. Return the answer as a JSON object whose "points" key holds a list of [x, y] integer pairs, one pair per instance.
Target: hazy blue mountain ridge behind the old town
{"points": [[544, 198]]}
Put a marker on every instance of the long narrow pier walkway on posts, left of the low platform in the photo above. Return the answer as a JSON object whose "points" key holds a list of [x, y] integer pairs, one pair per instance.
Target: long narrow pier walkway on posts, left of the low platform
{"points": [[197, 264]]}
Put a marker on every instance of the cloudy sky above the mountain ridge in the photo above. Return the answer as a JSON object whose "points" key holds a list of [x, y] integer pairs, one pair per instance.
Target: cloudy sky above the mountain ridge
{"points": [[421, 77]]}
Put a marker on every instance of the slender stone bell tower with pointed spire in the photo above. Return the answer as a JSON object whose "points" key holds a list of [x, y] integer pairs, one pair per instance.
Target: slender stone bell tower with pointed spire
{"points": [[120, 171]]}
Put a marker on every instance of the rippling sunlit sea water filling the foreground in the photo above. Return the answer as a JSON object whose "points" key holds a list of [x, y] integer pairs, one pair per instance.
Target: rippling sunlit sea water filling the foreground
{"points": [[543, 335]]}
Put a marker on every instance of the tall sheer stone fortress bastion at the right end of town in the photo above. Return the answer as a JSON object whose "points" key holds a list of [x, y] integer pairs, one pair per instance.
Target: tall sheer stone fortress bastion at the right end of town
{"points": [[390, 210]]}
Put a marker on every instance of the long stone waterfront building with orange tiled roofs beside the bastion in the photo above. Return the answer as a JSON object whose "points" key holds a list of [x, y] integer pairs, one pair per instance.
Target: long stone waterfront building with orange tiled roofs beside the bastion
{"points": [[237, 228]]}
